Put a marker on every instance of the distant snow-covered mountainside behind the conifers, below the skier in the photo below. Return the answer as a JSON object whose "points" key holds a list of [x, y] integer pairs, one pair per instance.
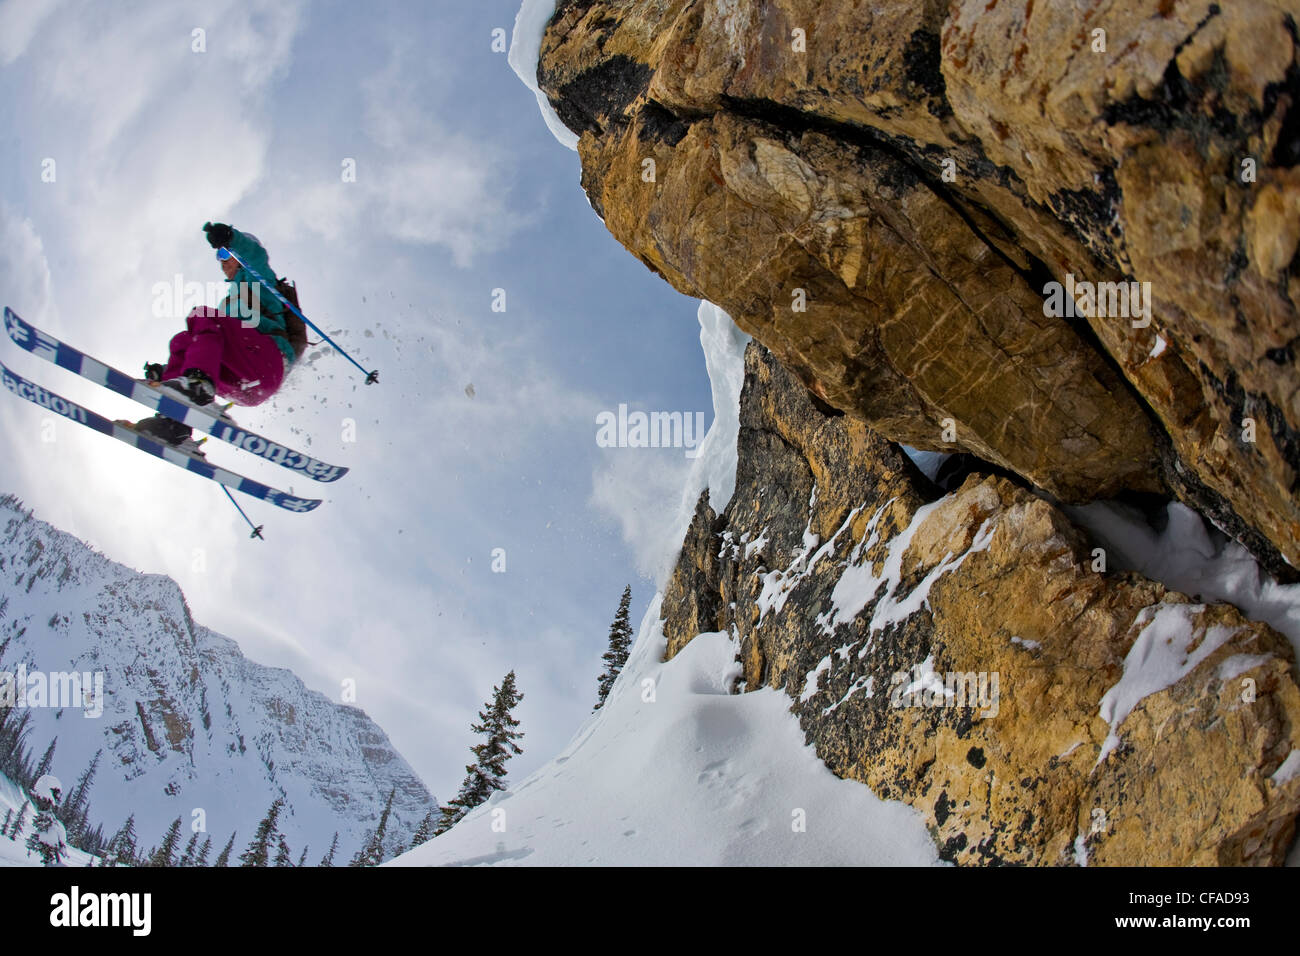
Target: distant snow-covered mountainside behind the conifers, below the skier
{"points": [[188, 724]]}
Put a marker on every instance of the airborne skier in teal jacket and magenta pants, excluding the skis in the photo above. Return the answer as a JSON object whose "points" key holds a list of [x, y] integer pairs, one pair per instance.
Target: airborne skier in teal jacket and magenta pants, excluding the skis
{"points": [[241, 351]]}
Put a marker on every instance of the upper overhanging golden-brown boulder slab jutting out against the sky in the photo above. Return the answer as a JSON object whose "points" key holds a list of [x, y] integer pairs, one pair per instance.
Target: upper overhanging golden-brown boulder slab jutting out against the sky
{"points": [[883, 193]]}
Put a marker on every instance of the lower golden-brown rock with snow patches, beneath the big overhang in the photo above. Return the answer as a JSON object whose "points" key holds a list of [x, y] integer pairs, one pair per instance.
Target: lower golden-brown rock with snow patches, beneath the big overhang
{"points": [[964, 654]]}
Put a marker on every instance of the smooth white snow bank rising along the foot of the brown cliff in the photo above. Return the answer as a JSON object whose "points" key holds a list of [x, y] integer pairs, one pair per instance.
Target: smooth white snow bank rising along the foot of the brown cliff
{"points": [[675, 768]]}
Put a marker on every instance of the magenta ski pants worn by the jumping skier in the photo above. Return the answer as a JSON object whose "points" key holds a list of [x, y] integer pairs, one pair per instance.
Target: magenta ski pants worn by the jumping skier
{"points": [[245, 365]]}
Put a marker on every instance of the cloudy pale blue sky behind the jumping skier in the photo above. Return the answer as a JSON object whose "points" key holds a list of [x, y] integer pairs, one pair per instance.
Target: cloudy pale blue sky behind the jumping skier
{"points": [[483, 431]]}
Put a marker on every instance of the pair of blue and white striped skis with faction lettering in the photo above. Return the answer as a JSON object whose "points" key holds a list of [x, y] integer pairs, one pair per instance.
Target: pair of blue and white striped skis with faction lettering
{"points": [[166, 403]]}
